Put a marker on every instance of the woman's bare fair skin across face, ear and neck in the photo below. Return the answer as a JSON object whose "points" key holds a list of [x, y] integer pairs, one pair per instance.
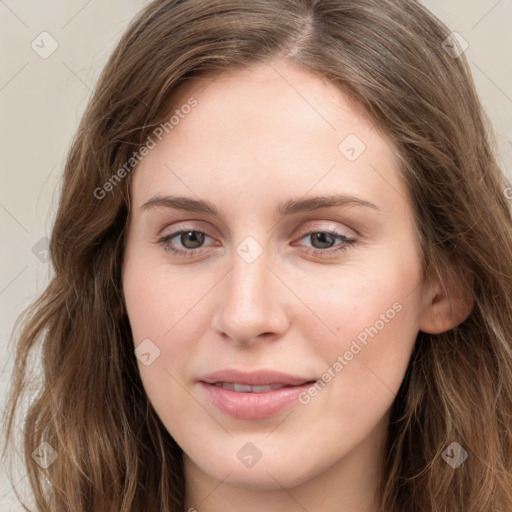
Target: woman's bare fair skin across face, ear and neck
{"points": [[257, 138]]}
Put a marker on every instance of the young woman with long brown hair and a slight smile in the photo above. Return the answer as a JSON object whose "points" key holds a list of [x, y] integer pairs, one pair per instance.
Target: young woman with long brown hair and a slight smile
{"points": [[283, 272]]}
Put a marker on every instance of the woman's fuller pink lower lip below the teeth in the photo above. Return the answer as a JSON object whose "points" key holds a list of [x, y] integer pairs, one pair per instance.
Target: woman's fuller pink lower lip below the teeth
{"points": [[253, 406]]}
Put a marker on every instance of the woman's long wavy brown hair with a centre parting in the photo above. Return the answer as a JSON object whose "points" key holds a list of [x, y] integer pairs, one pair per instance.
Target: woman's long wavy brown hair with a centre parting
{"points": [[114, 454]]}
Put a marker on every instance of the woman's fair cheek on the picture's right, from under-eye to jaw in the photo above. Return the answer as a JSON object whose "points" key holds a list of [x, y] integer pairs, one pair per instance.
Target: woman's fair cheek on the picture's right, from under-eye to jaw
{"points": [[374, 316]]}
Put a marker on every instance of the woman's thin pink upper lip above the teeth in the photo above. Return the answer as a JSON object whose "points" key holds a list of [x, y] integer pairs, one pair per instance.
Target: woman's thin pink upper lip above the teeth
{"points": [[255, 378]]}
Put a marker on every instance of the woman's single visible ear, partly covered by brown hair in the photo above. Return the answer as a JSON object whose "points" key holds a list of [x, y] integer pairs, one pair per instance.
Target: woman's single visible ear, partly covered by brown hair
{"points": [[447, 303]]}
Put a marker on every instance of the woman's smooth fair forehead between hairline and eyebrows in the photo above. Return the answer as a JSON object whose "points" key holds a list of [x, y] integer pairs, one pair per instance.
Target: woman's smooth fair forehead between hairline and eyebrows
{"points": [[267, 129]]}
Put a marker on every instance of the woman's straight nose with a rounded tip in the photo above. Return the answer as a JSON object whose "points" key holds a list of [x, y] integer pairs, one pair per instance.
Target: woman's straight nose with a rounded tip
{"points": [[252, 304]]}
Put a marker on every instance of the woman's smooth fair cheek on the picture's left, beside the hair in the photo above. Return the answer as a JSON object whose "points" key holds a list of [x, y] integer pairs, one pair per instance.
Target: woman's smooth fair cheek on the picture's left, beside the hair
{"points": [[165, 309]]}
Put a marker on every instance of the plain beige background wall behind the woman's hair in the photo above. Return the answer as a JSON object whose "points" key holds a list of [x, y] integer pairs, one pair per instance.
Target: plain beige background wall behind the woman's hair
{"points": [[41, 101]]}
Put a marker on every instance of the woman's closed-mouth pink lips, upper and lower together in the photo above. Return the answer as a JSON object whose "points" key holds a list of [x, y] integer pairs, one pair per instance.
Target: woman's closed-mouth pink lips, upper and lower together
{"points": [[249, 405]]}
